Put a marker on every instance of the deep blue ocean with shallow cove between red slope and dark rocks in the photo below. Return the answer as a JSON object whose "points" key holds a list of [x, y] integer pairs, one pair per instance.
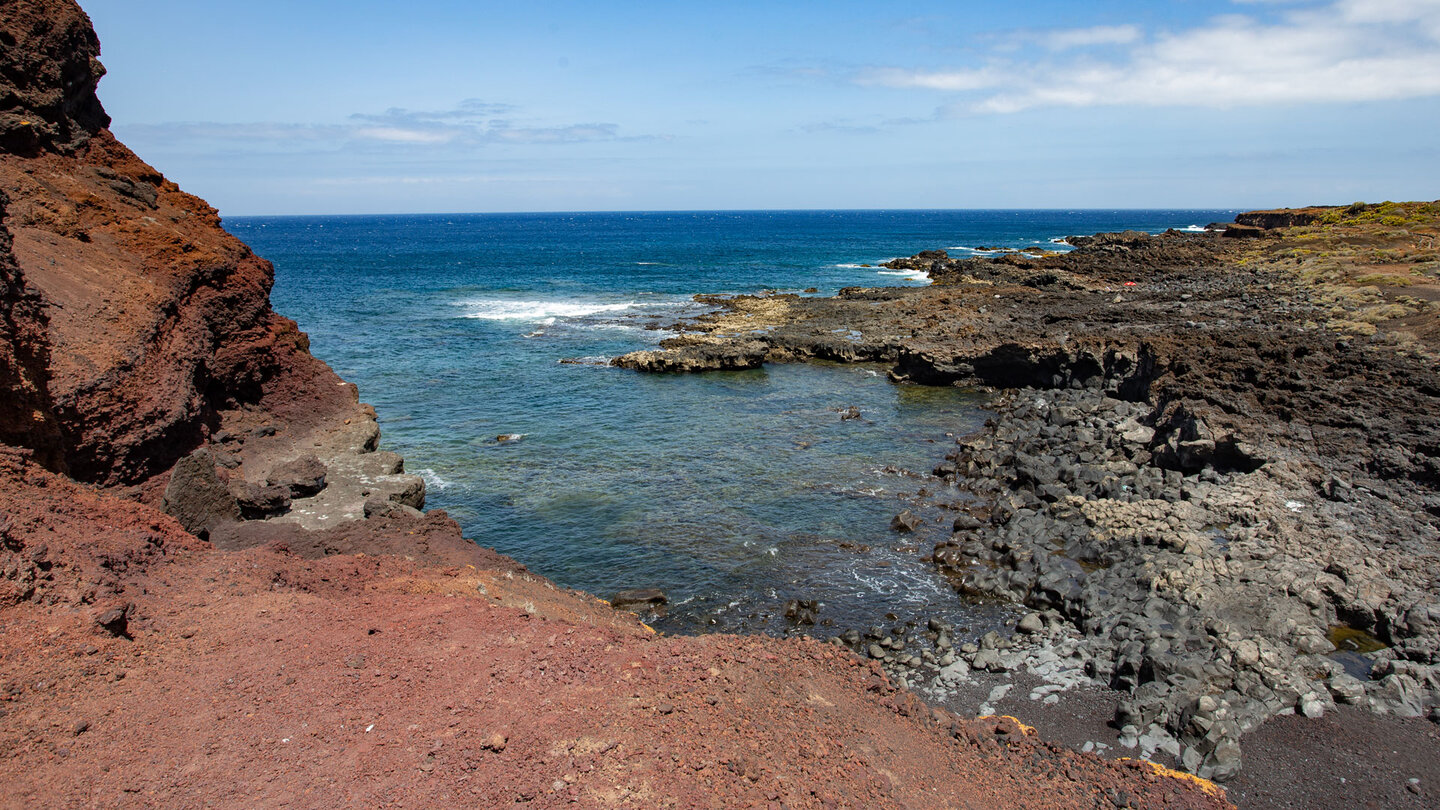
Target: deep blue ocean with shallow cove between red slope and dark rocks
{"points": [[732, 492]]}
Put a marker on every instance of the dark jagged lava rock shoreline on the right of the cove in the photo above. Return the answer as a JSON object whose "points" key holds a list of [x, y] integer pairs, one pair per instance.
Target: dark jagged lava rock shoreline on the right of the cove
{"points": [[1212, 471]]}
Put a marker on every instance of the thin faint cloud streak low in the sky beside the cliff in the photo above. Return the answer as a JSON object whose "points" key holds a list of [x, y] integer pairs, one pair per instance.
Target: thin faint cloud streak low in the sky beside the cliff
{"points": [[472, 125]]}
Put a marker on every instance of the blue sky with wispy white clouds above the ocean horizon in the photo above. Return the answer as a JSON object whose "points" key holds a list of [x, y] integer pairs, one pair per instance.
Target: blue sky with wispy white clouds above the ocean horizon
{"points": [[441, 106]]}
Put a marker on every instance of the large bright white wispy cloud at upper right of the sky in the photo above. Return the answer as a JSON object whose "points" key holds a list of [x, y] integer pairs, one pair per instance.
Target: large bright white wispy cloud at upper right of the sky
{"points": [[1346, 51]]}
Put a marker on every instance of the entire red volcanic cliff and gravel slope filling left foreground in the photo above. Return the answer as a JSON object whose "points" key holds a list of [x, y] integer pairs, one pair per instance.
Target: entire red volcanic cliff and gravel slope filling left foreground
{"points": [[217, 592]]}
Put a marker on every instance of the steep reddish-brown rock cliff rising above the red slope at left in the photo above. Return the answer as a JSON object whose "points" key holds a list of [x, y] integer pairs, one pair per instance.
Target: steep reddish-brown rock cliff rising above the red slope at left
{"points": [[129, 318]]}
